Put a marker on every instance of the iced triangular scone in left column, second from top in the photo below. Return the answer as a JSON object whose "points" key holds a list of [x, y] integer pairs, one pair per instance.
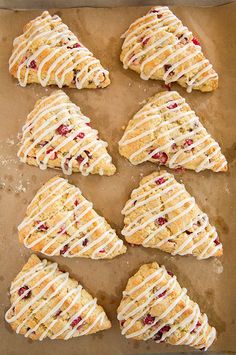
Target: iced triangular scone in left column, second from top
{"points": [[57, 135]]}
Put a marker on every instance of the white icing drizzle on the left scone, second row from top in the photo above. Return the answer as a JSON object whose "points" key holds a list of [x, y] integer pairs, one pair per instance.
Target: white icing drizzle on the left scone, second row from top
{"points": [[54, 115]]}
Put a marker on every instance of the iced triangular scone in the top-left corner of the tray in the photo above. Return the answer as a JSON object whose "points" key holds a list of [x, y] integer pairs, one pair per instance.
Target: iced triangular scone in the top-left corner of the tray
{"points": [[48, 53]]}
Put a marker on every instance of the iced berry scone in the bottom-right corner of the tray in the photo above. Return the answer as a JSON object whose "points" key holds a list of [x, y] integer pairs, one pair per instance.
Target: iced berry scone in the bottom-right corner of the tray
{"points": [[154, 306]]}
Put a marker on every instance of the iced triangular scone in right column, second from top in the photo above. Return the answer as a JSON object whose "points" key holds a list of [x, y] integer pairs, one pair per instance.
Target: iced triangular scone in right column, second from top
{"points": [[166, 131]]}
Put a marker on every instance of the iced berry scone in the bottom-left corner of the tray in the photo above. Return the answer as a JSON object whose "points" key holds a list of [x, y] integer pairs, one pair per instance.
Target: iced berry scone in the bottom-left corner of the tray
{"points": [[46, 302]]}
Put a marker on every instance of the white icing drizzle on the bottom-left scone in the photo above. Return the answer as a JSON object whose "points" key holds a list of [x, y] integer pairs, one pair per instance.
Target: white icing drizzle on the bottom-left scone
{"points": [[73, 297]]}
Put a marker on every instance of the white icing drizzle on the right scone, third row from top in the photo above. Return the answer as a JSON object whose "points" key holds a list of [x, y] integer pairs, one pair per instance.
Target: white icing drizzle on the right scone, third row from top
{"points": [[143, 195]]}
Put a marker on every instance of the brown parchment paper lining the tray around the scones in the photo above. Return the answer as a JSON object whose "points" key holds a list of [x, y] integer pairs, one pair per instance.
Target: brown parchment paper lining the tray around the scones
{"points": [[212, 282]]}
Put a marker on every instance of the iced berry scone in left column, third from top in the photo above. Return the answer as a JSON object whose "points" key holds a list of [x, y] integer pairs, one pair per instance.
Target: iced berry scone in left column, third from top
{"points": [[60, 221]]}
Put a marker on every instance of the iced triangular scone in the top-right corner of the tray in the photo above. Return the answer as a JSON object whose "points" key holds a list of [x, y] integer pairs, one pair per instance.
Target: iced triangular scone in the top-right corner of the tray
{"points": [[159, 47]]}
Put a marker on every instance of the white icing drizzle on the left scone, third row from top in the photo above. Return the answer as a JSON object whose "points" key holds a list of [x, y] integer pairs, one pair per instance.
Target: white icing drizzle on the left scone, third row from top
{"points": [[103, 246]]}
